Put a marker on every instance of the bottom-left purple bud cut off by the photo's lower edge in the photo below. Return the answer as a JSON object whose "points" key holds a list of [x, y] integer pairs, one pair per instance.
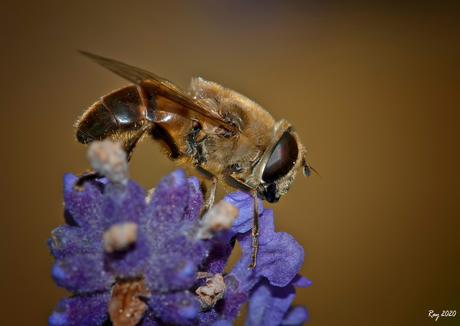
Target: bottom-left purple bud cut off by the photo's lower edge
{"points": [[86, 310]]}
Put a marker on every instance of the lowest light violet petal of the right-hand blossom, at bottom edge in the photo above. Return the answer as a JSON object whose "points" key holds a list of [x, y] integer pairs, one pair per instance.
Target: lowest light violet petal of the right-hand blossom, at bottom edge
{"points": [[268, 304]]}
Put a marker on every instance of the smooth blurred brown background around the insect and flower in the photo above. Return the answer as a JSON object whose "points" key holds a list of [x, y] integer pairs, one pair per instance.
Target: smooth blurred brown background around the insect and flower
{"points": [[372, 88]]}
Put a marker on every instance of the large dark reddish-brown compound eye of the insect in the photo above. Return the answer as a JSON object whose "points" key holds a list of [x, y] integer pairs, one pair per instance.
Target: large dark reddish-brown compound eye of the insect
{"points": [[282, 158]]}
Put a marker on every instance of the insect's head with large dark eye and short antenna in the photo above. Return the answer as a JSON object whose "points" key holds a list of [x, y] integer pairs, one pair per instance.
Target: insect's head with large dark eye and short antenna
{"points": [[279, 164]]}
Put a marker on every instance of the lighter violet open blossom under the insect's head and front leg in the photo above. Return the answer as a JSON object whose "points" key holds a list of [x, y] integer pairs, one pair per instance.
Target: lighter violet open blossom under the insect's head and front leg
{"points": [[270, 285]]}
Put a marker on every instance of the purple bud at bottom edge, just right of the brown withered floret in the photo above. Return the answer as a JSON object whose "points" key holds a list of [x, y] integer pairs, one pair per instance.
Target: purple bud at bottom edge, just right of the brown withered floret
{"points": [[177, 308]]}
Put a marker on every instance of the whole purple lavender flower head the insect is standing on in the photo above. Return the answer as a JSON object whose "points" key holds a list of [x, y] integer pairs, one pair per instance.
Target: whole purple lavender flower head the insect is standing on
{"points": [[131, 260]]}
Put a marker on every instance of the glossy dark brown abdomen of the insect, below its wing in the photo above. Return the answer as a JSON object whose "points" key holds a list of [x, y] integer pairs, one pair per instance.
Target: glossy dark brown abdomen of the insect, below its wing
{"points": [[120, 111]]}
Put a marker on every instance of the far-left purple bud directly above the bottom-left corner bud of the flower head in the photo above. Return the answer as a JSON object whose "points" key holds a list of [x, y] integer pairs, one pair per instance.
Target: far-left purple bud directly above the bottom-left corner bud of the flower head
{"points": [[81, 274]]}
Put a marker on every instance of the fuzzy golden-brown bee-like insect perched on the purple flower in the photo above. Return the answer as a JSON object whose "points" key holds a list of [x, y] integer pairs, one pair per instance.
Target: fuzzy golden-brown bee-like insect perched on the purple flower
{"points": [[212, 132]]}
